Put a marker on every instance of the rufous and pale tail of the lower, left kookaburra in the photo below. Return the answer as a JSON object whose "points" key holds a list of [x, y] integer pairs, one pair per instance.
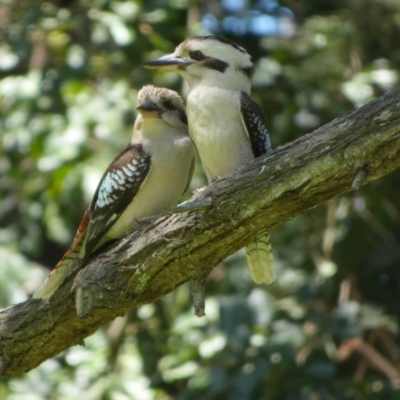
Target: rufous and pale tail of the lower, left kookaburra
{"points": [[66, 264]]}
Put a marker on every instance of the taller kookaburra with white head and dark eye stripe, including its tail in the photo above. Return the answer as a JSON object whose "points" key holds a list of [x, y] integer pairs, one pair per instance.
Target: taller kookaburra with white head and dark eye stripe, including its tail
{"points": [[226, 125]]}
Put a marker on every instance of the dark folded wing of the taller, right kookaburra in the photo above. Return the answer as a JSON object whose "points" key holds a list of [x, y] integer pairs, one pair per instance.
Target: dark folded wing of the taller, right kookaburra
{"points": [[254, 123]]}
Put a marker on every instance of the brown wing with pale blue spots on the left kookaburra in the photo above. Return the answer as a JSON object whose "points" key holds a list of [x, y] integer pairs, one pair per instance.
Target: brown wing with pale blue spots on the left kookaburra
{"points": [[115, 192]]}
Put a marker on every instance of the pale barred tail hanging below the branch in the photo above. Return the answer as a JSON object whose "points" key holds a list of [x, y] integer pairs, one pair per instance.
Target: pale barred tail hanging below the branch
{"points": [[260, 260]]}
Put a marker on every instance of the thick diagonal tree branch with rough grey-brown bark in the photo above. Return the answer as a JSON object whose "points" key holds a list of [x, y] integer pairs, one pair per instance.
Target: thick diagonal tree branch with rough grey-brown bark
{"points": [[355, 149]]}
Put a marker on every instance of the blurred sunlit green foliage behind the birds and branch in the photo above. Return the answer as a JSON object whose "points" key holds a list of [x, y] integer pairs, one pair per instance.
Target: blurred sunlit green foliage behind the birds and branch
{"points": [[327, 329]]}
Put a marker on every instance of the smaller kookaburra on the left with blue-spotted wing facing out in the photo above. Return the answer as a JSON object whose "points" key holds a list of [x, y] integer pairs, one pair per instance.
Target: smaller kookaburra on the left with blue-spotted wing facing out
{"points": [[151, 174]]}
